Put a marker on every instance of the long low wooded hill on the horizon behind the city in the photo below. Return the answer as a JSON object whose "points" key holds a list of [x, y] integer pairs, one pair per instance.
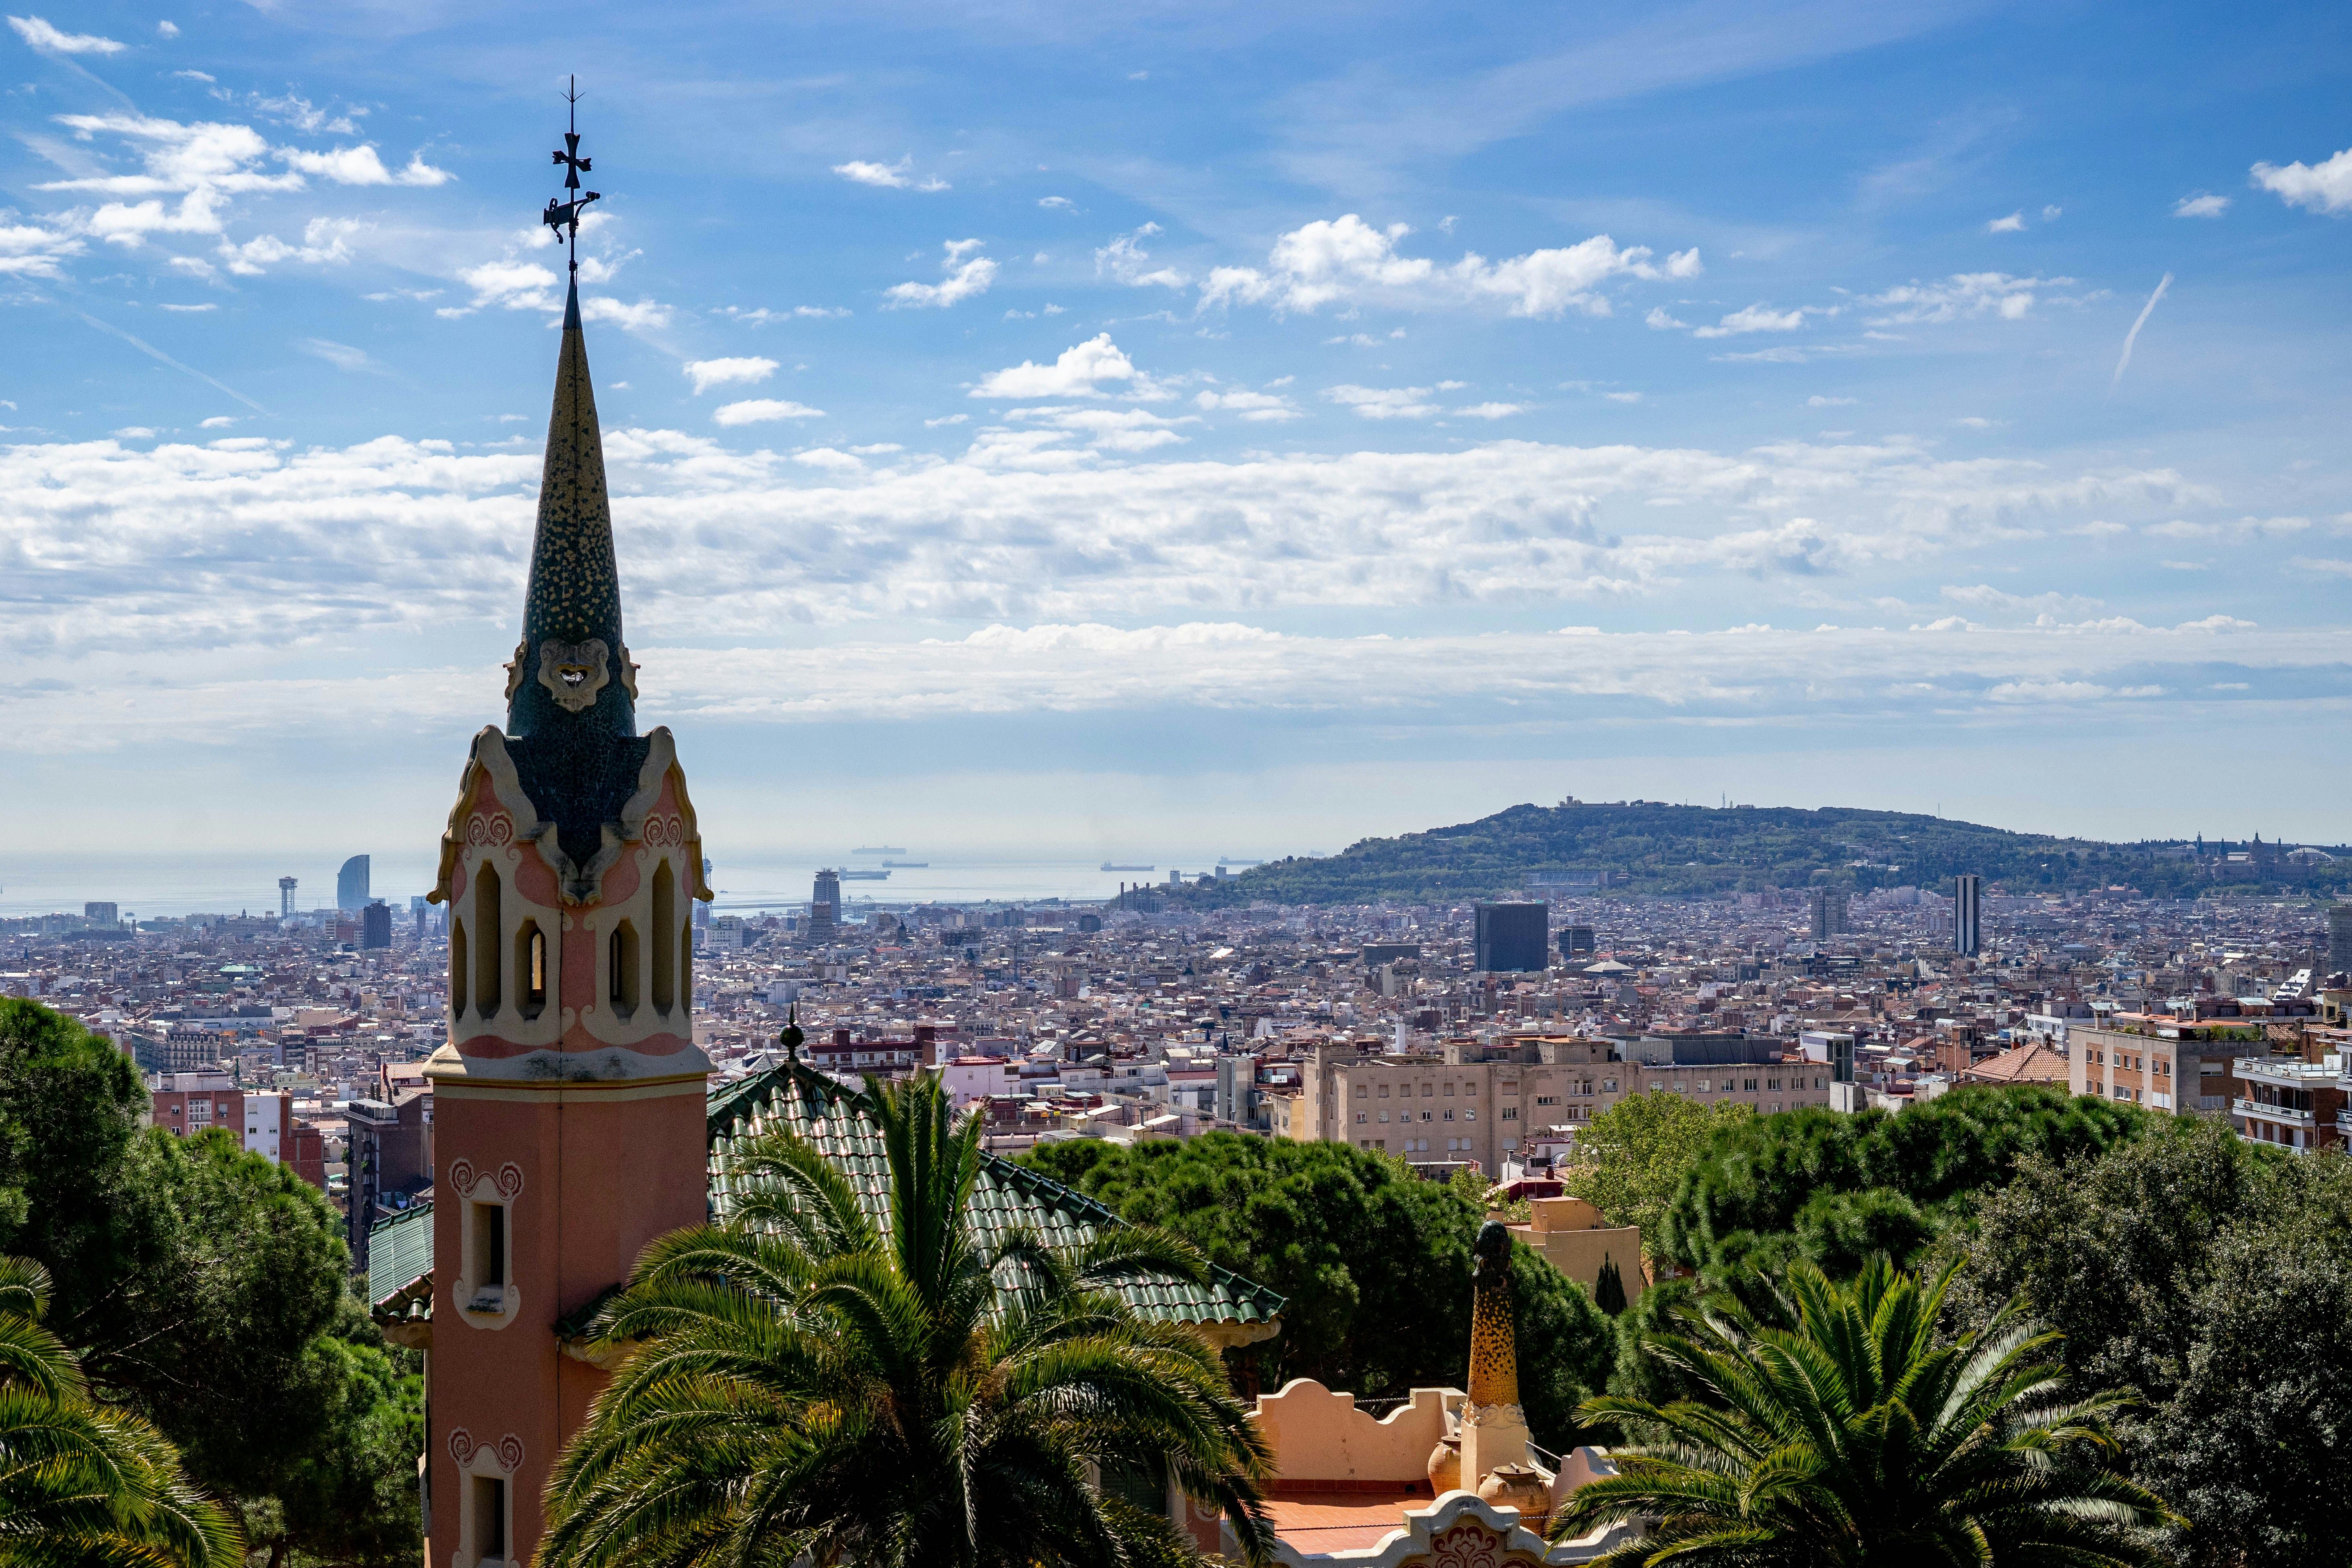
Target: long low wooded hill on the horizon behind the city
{"points": [[1695, 852]]}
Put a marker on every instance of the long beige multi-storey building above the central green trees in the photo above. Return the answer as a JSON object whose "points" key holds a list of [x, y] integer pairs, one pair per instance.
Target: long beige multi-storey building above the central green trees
{"points": [[1476, 1104]]}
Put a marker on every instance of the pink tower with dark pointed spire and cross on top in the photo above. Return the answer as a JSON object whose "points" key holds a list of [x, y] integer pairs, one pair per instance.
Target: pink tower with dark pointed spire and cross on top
{"points": [[570, 1097]]}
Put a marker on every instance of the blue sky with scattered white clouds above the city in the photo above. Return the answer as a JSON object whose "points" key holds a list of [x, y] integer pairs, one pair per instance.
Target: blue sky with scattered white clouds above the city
{"points": [[1191, 429]]}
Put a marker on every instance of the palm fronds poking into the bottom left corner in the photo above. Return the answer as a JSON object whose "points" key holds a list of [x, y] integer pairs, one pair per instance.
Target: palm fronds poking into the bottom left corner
{"points": [[79, 1482]]}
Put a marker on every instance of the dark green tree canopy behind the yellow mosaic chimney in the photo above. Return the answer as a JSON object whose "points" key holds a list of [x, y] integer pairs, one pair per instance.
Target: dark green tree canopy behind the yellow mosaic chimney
{"points": [[1375, 1266]]}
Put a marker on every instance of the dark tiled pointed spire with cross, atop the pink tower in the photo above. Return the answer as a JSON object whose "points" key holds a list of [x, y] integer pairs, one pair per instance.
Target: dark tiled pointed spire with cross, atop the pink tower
{"points": [[573, 669]]}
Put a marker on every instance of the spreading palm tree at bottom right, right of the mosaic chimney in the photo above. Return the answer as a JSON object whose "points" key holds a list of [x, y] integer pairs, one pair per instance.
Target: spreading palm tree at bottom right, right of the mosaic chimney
{"points": [[1857, 1438]]}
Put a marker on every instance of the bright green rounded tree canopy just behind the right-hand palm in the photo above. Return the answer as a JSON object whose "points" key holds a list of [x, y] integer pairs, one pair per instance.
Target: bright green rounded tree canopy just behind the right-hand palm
{"points": [[1836, 1188]]}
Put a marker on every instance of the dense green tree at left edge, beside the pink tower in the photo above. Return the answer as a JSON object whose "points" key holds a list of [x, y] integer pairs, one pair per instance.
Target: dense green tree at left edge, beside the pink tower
{"points": [[208, 1292]]}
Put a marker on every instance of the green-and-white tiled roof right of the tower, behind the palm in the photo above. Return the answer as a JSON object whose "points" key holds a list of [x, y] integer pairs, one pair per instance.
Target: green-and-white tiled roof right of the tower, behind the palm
{"points": [[1005, 1198]]}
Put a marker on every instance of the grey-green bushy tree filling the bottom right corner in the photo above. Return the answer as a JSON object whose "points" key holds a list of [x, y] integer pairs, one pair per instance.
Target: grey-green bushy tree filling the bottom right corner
{"points": [[2214, 1278]]}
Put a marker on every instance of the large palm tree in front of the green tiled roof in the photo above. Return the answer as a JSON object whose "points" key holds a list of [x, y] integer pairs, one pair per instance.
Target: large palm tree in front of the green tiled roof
{"points": [[895, 1395]]}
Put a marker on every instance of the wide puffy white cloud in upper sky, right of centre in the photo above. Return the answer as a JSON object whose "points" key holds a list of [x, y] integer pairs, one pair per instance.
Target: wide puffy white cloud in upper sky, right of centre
{"points": [[1347, 260]]}
